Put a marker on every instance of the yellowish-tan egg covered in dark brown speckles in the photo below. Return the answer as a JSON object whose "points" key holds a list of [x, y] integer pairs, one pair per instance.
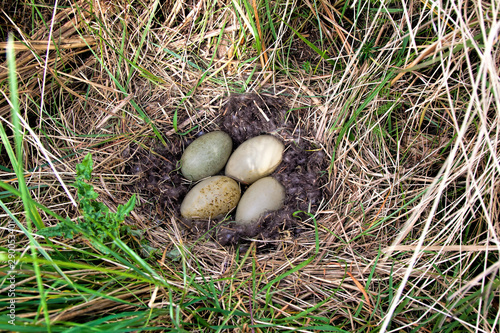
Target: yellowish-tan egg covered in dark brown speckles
{"points": [[211, 198]]}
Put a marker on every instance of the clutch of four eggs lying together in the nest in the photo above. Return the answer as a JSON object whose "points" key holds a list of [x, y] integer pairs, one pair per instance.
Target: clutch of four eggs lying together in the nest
{"points": [[250, 163]]}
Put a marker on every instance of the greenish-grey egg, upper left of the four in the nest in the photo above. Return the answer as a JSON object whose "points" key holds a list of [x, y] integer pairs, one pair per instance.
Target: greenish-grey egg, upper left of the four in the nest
{"points": [[206, 155]]}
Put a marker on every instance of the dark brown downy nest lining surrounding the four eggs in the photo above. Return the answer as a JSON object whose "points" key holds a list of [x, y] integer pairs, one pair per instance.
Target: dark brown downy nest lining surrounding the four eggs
{"points": [[302, 171]]}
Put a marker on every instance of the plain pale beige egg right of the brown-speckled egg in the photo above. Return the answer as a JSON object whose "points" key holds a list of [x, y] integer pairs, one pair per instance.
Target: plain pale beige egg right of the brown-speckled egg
{"points": [[265, 195]]}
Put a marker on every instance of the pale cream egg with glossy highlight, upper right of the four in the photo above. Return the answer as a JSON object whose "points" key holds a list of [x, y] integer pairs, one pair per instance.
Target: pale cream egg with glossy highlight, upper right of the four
{"points": [[255, 158]]}
